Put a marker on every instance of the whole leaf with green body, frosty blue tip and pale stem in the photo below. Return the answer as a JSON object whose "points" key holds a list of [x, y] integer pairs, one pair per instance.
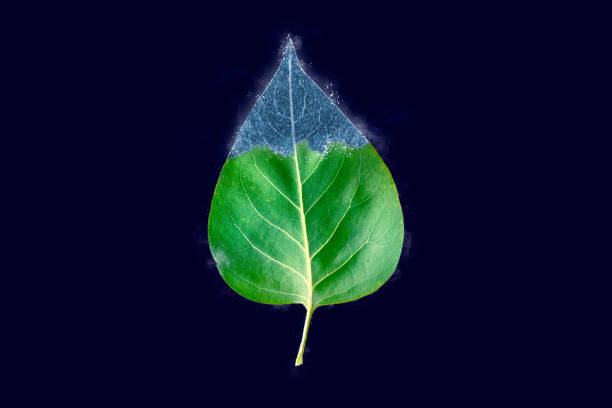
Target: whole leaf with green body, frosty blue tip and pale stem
{"points": [[305, 211]]}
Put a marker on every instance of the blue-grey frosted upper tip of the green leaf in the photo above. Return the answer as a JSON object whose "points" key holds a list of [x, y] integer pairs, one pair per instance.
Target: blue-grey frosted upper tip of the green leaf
{"points": [[276, 123]]}
